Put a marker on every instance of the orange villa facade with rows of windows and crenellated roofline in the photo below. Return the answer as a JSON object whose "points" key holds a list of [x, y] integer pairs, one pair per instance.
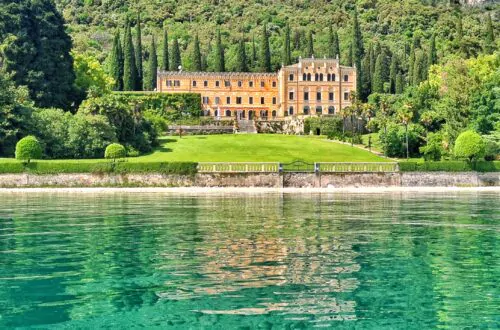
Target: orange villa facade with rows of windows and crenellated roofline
{"points": [[309, 87]]}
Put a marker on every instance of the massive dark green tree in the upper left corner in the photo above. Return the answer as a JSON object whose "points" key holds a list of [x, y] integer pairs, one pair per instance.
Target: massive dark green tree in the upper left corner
{"points": [[38, 55]]}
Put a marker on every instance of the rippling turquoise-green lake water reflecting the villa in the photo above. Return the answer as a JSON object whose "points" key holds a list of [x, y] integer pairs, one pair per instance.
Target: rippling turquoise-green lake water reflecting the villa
{"points": [[270, 261]]}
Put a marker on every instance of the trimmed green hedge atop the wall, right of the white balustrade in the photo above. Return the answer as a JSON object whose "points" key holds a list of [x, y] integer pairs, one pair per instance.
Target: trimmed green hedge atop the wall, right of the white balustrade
{"points": [[449, 166]]}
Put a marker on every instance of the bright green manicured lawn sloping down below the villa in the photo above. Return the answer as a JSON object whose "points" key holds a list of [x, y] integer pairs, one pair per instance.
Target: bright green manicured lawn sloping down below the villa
{"points": [[255, 148]]}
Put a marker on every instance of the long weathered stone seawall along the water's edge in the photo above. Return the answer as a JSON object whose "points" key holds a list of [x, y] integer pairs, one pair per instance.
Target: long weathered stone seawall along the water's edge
{"points": [[266, 180]]}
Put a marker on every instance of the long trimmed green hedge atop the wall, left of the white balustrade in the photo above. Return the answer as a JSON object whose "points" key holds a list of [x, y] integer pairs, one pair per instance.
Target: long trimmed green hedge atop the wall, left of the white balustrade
{"points": [[59, 167]]}
